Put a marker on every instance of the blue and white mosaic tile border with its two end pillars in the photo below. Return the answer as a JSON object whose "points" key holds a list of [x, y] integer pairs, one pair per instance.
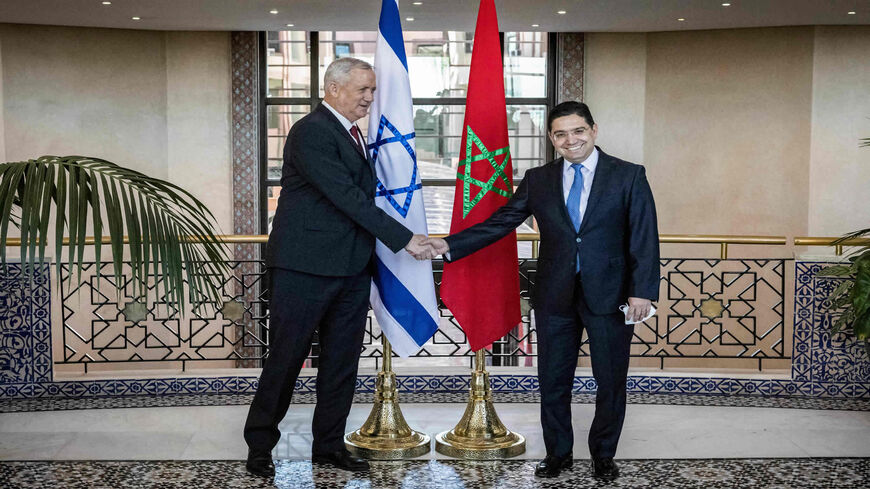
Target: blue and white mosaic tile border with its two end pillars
{"points": [[823, 366]]}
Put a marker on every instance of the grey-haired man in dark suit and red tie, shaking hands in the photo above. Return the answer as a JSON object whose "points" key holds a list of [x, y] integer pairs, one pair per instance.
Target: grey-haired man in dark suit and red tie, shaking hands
{"points": [[320, 254]]}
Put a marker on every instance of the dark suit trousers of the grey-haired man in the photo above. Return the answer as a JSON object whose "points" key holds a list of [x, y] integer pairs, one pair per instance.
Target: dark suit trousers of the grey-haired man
{"points": [[300, 304]]}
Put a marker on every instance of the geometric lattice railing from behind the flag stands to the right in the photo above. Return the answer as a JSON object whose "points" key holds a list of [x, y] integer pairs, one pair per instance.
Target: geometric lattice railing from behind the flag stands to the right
{"points": [[727, 309]]}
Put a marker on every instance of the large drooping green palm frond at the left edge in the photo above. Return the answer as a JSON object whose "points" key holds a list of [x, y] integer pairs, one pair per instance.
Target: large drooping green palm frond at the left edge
{"points": [[165, 225]]}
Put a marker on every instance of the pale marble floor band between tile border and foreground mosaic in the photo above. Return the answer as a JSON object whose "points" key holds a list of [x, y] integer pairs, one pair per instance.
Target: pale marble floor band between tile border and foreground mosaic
{"points": [[651, 431]]}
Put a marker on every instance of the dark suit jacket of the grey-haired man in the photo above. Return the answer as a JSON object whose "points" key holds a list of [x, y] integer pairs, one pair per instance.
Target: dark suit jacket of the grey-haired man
{"points": [[326, 221]]}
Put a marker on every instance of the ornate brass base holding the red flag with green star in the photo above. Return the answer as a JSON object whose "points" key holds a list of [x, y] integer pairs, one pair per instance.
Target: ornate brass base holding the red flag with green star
{"points": [[480, 434]]}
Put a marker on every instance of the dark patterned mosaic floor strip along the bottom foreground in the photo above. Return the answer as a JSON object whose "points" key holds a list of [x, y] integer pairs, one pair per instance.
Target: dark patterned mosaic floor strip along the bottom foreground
{"points": [[447, 474]]}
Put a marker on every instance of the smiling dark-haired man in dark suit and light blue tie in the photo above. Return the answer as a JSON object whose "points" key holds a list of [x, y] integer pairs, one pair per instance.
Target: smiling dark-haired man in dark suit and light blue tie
{"points": [[599, 249]]}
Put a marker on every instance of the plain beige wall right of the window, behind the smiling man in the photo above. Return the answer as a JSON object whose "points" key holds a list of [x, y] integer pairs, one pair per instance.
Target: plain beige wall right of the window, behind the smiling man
{"points": [[749, 131]]}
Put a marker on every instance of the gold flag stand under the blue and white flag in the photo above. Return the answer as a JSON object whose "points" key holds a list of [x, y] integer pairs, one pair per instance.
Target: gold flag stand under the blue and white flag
{"points": [[386, 435]]}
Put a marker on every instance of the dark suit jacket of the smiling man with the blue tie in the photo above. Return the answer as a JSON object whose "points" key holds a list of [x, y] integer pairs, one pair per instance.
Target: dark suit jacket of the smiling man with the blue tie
{"points": [[618, 241]]}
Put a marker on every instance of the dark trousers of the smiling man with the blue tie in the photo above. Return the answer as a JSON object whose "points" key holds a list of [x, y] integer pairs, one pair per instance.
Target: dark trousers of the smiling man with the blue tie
{"points": [[559, 339]]}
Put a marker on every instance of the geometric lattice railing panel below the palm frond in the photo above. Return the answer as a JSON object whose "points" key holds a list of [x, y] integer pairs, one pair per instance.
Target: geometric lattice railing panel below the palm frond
{"points": [[96, 328]]}
